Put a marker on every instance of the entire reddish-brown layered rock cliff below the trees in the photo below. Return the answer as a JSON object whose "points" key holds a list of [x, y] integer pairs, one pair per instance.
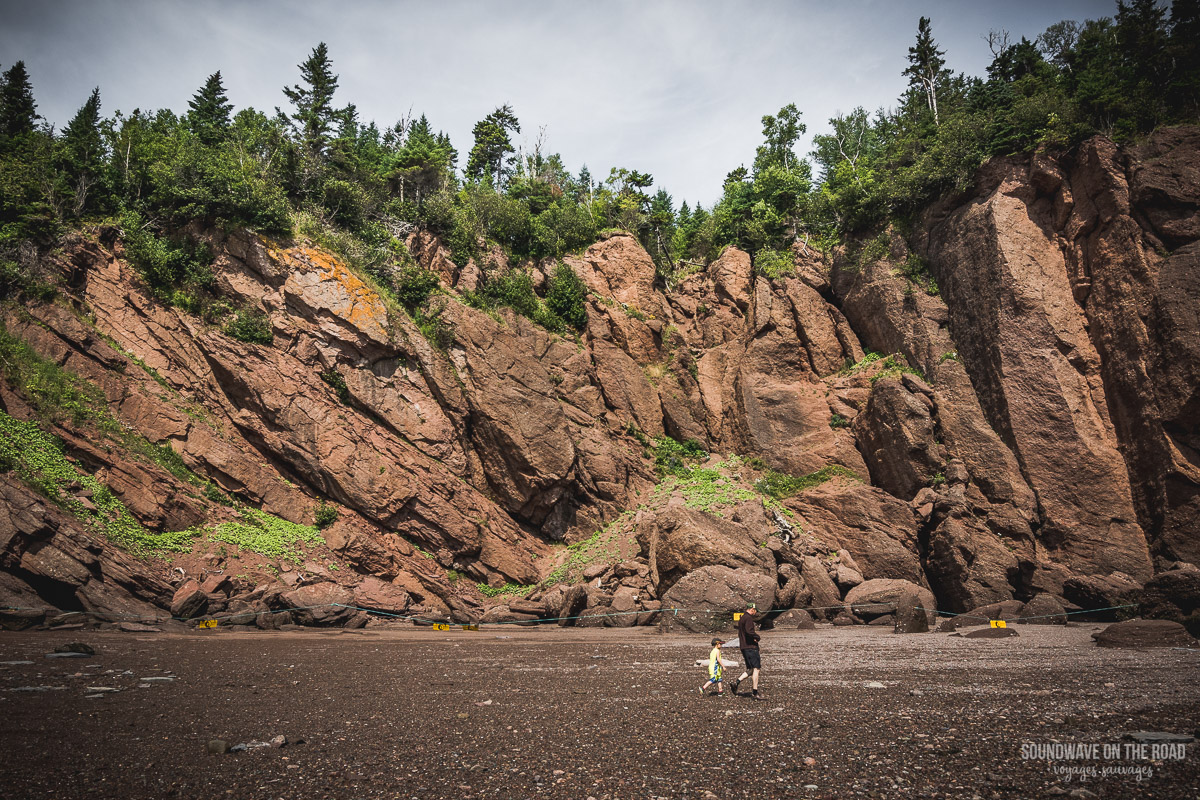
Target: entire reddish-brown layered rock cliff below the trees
{"points": [[1030, 437]]}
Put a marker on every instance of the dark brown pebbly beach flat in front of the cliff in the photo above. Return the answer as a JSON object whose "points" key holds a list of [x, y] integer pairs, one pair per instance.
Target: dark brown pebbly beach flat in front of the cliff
{"points": [[536, 713]]}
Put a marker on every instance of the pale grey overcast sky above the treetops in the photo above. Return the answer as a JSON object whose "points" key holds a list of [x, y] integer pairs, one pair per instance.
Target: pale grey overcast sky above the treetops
{"points": [[673, 88]]}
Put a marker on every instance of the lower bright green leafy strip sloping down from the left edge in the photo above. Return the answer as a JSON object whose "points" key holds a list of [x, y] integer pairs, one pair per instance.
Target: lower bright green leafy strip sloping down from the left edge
{"points": [[38, 460]]}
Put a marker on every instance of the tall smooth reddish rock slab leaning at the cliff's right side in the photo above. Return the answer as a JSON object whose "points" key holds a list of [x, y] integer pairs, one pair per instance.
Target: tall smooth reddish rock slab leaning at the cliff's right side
{"points": [[1025, 341]]}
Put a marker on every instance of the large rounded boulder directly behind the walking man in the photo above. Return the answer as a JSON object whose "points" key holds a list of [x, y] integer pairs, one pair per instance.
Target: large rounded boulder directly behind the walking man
{"points": [[707, 599]]}
